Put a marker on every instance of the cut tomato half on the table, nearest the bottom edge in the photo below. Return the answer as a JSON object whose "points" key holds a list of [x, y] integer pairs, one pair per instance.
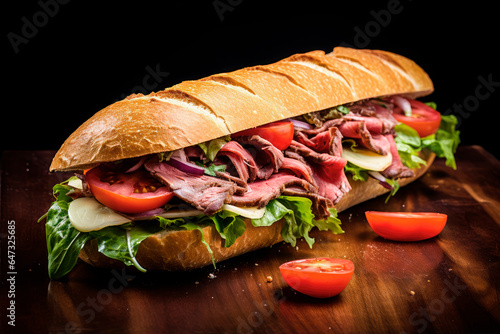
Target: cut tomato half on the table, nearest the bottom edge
{"points": [[318, 277]]}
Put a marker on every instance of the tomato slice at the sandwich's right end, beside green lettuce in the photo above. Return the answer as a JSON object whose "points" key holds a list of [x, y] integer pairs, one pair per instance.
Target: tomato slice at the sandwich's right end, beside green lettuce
{"points": [[424, 119]]}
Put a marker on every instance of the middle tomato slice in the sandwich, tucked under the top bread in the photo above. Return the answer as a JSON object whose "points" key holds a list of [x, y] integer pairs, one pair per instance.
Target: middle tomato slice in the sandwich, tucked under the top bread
{"points": [[280, 133]]}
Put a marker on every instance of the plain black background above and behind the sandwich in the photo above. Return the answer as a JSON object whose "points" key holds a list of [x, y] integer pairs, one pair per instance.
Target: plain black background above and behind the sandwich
{"points": [[77, 57]]}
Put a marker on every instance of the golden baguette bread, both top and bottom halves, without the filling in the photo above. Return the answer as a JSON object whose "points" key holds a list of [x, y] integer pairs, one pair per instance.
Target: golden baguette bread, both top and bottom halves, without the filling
{"points": [[224, 104]]}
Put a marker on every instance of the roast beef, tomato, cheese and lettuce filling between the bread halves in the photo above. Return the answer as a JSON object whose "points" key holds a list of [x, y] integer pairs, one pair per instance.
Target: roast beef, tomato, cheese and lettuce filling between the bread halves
{"points": [[294, 170]]}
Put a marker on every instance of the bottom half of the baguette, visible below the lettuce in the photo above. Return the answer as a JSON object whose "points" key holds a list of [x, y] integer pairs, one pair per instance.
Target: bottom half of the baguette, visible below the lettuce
{"points": [[183, 250]]}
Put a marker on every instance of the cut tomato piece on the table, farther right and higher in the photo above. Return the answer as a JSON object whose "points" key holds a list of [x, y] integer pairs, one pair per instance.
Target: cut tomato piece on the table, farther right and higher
{"points": [[406, 226]]}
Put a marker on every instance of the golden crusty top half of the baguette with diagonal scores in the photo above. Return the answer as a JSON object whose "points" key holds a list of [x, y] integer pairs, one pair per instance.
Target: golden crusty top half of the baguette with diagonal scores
{"points": [[193, 112]]}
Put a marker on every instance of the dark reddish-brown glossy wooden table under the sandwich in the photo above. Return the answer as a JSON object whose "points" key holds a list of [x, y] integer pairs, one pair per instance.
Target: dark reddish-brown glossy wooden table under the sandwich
{"points": [[449, 284]]}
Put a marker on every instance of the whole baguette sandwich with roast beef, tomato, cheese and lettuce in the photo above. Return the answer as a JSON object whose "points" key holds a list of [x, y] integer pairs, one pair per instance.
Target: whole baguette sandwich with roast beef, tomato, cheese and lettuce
{"points": [[210, 169]]}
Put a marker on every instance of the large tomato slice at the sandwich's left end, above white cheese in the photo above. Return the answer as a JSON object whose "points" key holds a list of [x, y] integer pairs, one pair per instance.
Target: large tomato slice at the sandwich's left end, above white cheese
{"points": [[130, 193]]}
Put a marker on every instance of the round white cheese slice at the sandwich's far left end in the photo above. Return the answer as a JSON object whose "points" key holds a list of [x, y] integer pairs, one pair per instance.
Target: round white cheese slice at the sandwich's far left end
{"points": [[87, 214]]}
